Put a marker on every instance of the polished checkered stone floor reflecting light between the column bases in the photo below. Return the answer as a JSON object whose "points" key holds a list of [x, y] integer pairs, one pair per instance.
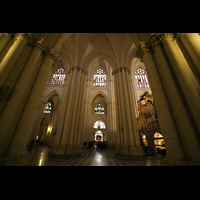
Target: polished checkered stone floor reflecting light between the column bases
{"points": [[90, 157]]}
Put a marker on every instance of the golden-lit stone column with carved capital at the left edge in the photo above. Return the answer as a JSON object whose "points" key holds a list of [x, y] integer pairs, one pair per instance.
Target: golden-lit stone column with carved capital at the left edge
{"points": [[12, 56]]}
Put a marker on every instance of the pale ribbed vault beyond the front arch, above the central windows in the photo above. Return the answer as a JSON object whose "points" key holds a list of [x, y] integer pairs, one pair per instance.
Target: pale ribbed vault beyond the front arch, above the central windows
{"points": [[81, 48]]}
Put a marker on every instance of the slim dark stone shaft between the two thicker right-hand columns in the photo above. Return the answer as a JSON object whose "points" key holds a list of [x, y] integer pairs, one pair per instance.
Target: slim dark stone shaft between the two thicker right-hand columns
{"points": [[179, 111]]}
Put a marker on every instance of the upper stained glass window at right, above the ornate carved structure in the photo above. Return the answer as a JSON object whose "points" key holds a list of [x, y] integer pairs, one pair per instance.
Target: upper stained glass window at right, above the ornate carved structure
{"points": [[141, 78]]}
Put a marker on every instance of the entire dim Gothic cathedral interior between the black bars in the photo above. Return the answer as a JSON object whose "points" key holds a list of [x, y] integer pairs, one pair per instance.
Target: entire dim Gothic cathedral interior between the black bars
{"points": [[99, 99]]}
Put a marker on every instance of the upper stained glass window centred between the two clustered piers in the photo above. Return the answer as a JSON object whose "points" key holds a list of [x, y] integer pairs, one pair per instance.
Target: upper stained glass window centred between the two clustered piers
{"points": [[99, 78]]}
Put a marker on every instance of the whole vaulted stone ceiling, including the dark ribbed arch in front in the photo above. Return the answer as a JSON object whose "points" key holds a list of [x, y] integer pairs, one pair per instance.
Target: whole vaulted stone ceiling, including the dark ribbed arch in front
{"points": [[79, 49]]}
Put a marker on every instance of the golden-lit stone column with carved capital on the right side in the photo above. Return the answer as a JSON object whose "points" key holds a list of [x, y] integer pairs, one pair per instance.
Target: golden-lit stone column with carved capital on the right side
{"points": [[181, 72]]}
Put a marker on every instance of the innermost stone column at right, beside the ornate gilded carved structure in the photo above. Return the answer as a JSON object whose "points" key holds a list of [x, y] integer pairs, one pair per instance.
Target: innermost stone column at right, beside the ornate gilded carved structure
{"points": [[174, 148]]}
